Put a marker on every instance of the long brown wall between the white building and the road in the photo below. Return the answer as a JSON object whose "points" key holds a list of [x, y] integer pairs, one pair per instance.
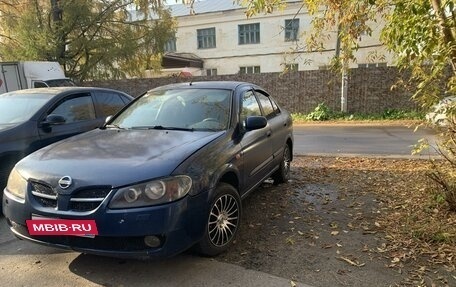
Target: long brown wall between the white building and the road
{"points": [[369, 89]]}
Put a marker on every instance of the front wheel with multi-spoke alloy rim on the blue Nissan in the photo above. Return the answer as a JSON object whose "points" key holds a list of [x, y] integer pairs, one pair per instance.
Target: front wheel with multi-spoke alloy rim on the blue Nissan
{"points": [[223, 221]]}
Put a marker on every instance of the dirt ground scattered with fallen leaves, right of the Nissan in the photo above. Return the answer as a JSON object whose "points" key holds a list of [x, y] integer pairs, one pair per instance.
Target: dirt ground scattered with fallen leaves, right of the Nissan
{"points": [[350, 222]]}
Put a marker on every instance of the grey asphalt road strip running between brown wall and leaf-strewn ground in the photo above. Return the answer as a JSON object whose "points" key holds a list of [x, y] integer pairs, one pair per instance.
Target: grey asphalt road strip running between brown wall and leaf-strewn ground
{"points": [[361, 140]]}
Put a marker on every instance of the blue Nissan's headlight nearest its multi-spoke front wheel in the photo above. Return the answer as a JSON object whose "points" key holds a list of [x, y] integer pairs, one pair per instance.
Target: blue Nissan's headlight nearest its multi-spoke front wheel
{"points": [[152, 192]]}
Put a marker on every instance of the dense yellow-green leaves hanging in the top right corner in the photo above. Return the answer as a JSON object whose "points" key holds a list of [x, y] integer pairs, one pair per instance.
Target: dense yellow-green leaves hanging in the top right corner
{"points": [[422, 33]]}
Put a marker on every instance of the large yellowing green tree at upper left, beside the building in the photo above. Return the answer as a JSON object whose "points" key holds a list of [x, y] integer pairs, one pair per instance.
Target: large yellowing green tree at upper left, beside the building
{"points": [[91, 39]]}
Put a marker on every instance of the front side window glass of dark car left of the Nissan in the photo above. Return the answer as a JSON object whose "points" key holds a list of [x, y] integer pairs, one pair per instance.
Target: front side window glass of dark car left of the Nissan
{"points": [[76, 109]]}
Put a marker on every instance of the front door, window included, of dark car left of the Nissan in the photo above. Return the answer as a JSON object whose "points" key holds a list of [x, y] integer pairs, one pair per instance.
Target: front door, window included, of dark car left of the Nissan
{"points": [[79, 112]]}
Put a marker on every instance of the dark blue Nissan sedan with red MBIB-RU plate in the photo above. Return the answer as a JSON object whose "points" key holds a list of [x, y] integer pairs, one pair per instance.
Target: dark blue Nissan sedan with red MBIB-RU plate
{"points": [[165, 174]]}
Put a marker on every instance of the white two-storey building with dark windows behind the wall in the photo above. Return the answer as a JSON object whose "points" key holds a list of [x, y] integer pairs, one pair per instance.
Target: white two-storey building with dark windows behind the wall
{"points": [[219, 39]]}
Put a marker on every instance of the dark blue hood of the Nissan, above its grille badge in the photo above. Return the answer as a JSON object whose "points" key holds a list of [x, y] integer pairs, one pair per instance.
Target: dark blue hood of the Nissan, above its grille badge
{"points": [[114, 157]]}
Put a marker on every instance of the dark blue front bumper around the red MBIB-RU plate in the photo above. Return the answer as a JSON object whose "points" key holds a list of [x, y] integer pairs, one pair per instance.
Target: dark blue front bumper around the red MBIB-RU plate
{"points": [[121, 233]]}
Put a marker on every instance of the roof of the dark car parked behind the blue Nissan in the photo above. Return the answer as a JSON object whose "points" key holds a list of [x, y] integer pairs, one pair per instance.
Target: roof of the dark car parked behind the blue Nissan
{"points": [[56, 91]]}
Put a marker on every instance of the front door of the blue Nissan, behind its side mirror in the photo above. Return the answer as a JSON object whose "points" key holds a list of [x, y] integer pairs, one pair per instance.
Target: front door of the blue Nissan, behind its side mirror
{"points": [[256, 145]]}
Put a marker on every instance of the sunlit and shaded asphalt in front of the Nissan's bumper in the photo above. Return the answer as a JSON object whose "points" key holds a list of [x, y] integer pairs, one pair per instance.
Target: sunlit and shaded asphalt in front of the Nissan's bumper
{"points": [[24, 263]]}
